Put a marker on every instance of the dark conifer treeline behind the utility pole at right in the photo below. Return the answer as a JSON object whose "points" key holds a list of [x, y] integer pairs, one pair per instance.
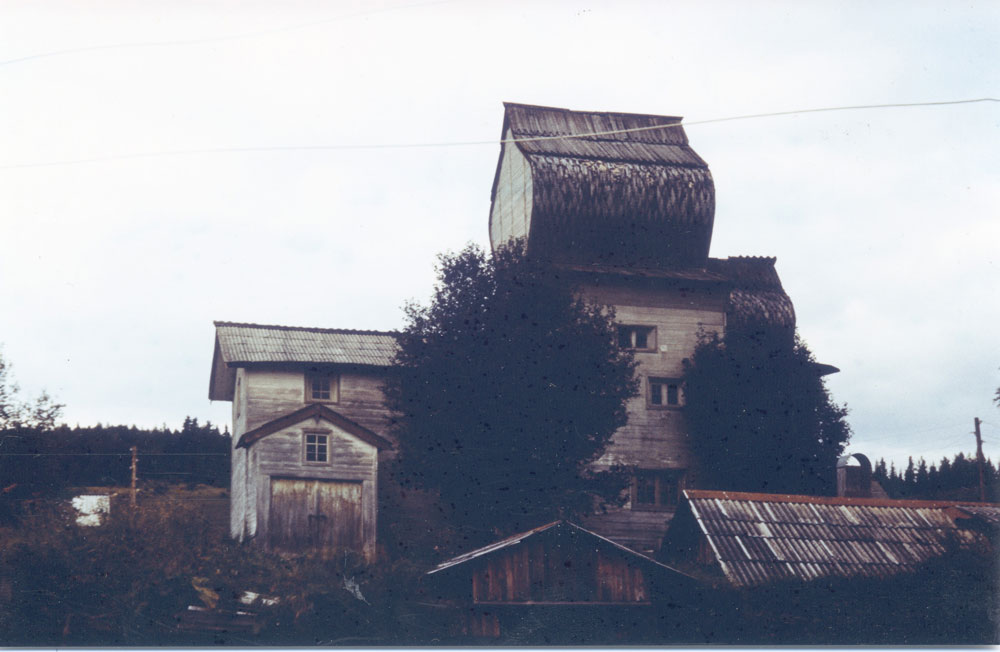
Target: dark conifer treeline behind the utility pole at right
{"points": [[954, 479]]}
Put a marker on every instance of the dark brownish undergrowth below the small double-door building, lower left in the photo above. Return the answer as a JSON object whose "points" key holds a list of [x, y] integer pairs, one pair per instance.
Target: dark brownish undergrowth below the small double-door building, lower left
{"points": [[128, 582]]}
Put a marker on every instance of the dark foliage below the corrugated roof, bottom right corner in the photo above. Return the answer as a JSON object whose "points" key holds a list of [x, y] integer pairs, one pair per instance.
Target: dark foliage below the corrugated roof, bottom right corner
{"points": [[951, 600]]}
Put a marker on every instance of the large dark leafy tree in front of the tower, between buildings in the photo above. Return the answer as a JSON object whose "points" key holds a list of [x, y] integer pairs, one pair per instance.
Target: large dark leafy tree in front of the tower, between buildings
{"points": [[508, 386]]}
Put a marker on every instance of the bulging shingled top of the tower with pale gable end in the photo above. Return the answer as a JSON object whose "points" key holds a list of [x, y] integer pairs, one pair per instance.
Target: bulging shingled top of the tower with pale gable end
{"points": [[602, 188]]}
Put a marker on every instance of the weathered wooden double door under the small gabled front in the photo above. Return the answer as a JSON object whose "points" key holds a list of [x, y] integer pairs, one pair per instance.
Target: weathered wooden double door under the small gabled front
{"points": [[314, 515]]}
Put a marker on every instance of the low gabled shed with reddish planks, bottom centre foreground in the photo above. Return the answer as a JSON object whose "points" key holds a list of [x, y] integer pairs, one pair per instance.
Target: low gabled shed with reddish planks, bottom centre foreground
{"points": [[558, 574]]}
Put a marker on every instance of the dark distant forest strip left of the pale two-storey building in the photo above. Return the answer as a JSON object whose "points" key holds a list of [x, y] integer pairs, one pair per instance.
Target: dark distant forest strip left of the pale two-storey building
{"points": [[42, 462]]}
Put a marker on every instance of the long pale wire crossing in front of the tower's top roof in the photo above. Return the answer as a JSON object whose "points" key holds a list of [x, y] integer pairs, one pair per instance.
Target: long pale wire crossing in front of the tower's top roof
{"points": [[377, 146]]}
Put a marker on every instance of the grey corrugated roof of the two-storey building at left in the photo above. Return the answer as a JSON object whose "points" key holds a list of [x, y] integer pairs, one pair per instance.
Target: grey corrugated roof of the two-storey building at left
{"points": [[256, 343]]}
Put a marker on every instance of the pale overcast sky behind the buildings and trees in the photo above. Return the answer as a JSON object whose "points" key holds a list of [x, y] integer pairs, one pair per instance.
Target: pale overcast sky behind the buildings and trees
{"points": [[884, 221]]}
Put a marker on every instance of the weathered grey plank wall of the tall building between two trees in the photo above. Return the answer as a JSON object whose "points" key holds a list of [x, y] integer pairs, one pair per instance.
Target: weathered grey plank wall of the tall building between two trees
{"points": [[655, 438]]}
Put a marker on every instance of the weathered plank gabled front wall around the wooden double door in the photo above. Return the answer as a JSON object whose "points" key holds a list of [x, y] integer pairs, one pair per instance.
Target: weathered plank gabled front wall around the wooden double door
{"points": [[278, 458]]}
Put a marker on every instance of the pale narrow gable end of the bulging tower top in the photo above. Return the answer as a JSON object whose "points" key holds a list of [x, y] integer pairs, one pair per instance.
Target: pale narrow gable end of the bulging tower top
{"points": [[510, 216]]}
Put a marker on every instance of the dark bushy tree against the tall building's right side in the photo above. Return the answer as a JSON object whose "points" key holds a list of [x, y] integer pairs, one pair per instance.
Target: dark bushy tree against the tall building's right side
{"points": [[761, 417]]}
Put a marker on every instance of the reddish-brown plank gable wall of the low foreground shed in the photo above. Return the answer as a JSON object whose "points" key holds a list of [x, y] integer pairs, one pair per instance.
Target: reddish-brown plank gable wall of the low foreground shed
{"points": [[540, 572]]}
